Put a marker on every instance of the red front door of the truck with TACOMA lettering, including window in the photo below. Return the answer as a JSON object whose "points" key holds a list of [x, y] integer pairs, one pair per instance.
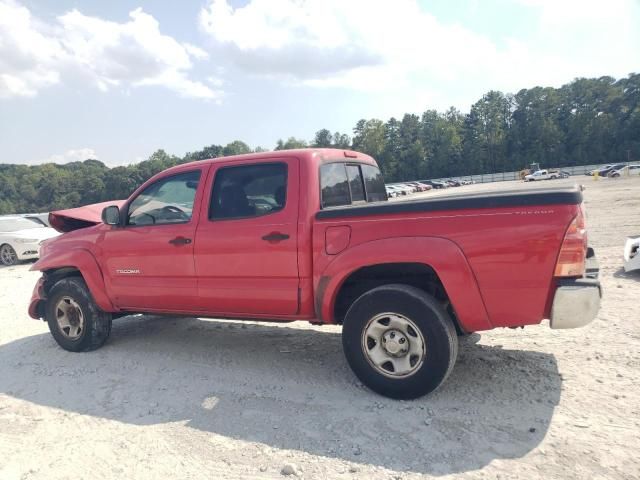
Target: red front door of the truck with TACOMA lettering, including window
{"points": [[148, 259]]}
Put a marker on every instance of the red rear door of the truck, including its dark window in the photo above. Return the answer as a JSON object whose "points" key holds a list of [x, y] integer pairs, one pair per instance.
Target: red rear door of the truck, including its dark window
{"points": [[246, 244]]}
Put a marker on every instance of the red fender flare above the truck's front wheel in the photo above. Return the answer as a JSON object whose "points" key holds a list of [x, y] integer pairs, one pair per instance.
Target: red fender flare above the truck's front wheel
{"points": [[84, 261]]}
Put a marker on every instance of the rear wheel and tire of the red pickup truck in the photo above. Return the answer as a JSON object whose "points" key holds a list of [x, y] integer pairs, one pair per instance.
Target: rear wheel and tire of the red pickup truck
{"points": [[377, 357]]}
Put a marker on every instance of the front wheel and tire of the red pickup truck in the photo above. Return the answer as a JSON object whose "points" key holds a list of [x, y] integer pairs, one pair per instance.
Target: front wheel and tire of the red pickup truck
{"points": [[70, 302]]}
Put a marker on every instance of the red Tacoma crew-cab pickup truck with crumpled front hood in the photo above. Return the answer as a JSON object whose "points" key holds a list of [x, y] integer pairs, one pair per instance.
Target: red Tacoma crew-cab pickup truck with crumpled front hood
{"points": [[309, 234]]}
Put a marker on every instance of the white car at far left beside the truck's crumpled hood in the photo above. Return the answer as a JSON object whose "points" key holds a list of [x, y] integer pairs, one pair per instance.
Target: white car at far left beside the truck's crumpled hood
{"points": [[20, 238]]}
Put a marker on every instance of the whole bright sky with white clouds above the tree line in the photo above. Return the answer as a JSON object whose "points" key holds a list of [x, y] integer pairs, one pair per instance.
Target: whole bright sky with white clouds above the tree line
{"points": [[117, 80]]}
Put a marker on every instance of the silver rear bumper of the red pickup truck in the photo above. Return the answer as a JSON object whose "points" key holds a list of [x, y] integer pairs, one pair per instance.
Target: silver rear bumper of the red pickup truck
{"points": [[577, 301]]}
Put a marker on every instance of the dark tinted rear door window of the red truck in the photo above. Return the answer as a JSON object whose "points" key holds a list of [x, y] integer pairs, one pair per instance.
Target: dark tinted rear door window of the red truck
{"points": [[248, 191]]}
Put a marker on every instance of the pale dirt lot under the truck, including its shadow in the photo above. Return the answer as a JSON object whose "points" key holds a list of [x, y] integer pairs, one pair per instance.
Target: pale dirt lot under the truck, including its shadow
{"points": [[190, 398]]}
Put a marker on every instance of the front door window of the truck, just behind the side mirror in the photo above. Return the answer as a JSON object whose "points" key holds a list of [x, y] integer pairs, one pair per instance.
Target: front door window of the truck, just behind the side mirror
{"points": [[169, 200]]}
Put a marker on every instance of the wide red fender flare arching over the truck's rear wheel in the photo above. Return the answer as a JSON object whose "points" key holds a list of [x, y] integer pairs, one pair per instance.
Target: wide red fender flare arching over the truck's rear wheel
{"points": [[444, 256]]}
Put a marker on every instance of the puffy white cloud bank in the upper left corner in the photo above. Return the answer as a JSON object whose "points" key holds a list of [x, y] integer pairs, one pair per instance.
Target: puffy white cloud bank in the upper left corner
{"points": [[34, 55]]}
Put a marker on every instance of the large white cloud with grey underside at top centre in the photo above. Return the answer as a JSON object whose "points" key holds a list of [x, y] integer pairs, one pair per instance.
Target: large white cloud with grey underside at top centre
{"points": [[333, 42]]}
